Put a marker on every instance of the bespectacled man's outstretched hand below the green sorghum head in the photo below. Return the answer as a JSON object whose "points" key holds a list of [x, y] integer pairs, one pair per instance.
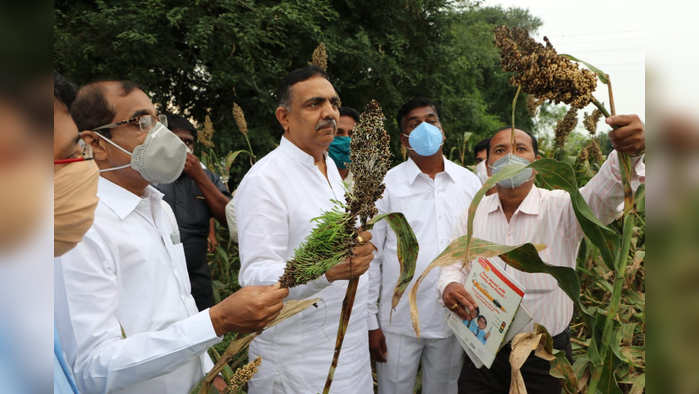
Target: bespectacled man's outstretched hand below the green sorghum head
{"points": [[248, 309]]}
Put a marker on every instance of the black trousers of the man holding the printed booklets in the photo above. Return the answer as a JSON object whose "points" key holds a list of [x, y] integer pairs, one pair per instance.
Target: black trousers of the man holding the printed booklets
{"points": [[535, 372]]}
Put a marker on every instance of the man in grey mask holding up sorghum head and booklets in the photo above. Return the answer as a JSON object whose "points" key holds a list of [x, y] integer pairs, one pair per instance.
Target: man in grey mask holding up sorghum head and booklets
{"points": [[520, 212]]}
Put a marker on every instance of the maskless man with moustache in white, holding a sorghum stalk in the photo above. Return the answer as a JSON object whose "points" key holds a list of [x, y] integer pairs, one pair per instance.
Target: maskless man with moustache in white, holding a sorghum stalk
{"points": [[274, 206]]}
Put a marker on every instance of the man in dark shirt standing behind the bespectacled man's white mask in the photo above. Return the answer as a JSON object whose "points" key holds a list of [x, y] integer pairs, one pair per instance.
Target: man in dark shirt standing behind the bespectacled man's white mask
{"points": [[196, 197]]}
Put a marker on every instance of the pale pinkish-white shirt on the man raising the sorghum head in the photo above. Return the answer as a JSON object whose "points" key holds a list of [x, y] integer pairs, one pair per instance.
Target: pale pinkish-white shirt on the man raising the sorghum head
{"points": [[547, 217]]}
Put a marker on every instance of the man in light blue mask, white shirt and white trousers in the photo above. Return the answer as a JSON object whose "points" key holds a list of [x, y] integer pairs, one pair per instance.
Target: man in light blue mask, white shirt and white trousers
{"points": [[429, 190]]}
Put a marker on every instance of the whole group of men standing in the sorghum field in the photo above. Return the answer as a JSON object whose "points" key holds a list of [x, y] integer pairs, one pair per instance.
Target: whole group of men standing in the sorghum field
{"points": [[134, 310]]}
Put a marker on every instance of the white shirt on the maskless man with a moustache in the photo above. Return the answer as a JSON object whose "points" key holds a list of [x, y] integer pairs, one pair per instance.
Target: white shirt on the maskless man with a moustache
{"points": [[274, 206]]}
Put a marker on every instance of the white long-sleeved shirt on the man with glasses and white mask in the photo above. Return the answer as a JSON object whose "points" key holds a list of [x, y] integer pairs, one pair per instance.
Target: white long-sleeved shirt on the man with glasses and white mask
{"points": [[129, 273]]}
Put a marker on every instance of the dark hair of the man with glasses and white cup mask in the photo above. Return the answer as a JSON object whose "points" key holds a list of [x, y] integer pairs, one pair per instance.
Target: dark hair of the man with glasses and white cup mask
{"points": [[91, 109]]}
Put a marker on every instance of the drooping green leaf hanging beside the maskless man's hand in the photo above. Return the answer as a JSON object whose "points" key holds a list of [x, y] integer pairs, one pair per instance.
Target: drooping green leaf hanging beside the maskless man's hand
{"points": [[408, 249]]}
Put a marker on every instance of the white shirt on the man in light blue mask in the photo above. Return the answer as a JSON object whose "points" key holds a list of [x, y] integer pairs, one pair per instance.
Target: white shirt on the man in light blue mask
{"points": [[433, 208]]}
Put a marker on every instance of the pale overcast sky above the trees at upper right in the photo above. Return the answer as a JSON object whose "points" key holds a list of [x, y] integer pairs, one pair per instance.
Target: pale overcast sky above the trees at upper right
{"points": [[612, 40]]}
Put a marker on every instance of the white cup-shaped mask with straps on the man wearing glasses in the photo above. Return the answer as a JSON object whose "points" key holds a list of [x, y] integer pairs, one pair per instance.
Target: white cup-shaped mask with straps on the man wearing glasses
{"points": [[159, 159]]}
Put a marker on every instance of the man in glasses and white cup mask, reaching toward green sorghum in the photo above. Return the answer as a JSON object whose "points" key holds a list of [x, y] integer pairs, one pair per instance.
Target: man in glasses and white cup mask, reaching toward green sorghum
{"points": [[123, 308]]}
